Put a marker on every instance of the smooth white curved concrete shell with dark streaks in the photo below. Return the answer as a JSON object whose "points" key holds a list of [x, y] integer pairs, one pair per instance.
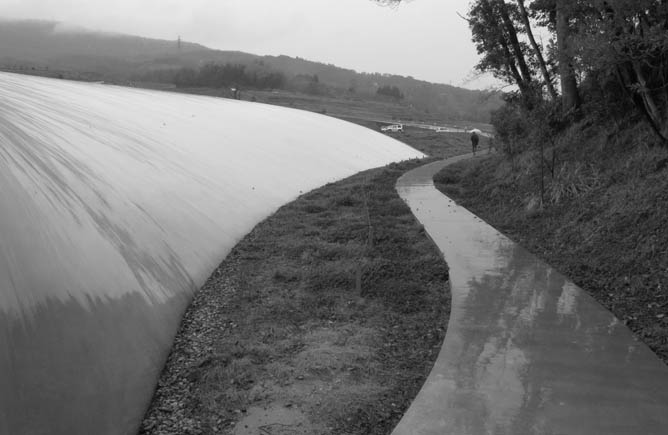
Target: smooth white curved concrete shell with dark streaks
{"points": [[115, 205]]}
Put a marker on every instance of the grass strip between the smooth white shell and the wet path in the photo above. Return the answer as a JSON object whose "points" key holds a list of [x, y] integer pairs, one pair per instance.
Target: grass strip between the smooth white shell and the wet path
{"points": [[284, 326]]}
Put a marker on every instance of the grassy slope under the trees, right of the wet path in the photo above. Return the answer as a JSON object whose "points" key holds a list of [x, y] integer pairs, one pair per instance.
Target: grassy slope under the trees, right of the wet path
{"points": [[603, 224]]}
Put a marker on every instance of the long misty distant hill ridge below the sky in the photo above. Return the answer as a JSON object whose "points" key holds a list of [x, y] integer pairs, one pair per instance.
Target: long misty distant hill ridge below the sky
{"points": [[81, 53]]}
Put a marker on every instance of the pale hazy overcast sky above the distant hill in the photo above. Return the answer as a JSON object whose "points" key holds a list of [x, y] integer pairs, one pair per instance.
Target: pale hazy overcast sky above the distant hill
{"points": [[421, 38]]}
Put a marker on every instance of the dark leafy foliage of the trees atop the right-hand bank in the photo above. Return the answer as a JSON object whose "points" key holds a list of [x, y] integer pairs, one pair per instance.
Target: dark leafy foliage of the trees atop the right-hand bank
{"points": [[616, 53]]}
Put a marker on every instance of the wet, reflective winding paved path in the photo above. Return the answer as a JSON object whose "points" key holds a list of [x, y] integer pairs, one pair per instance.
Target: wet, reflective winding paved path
{"points": [[526, 351]]}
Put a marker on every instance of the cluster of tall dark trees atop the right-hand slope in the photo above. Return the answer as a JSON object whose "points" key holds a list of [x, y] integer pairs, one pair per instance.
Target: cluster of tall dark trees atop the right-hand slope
{"points": [[613, 51]]}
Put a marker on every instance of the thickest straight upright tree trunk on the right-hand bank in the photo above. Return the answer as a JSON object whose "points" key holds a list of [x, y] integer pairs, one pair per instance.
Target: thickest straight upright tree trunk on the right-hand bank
{"points": [[569, 87]]}
